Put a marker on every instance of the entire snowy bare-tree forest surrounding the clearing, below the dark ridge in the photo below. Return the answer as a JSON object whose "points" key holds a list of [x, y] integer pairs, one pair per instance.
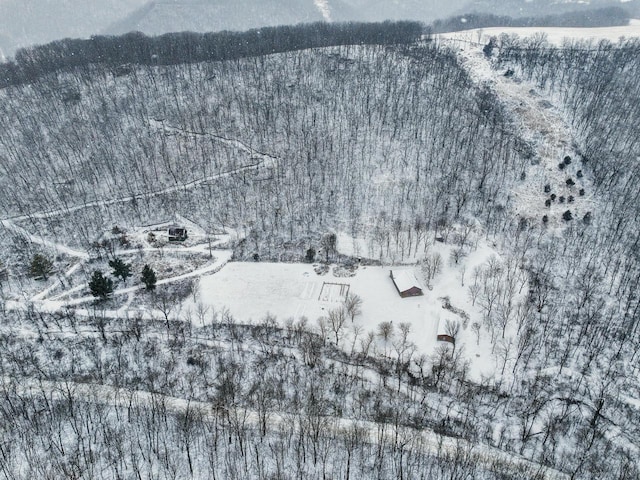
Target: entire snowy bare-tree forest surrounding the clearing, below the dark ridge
{"points": [[397, 143]]}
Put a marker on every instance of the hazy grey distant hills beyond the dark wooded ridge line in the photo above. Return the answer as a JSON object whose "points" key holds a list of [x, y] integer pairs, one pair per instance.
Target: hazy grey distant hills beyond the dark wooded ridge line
{"points": [[25, 23]]}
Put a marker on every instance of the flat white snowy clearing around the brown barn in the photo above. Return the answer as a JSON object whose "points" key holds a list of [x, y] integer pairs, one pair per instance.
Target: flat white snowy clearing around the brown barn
{"points": [[291, 291]]}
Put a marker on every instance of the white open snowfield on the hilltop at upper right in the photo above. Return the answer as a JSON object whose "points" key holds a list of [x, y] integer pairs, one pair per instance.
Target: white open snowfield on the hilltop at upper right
{"points": [[555, 35]]}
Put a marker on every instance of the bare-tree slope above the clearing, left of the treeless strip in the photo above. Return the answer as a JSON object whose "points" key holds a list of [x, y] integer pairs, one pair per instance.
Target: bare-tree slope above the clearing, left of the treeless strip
{"points": [[360, 138]]}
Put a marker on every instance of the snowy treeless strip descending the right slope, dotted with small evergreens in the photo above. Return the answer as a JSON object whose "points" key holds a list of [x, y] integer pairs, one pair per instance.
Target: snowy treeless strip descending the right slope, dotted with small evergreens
{"points": [[543, 126]]}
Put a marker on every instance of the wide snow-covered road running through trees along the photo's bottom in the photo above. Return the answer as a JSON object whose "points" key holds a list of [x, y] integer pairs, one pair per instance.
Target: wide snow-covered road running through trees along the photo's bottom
{"points": [[427, 441]]}
